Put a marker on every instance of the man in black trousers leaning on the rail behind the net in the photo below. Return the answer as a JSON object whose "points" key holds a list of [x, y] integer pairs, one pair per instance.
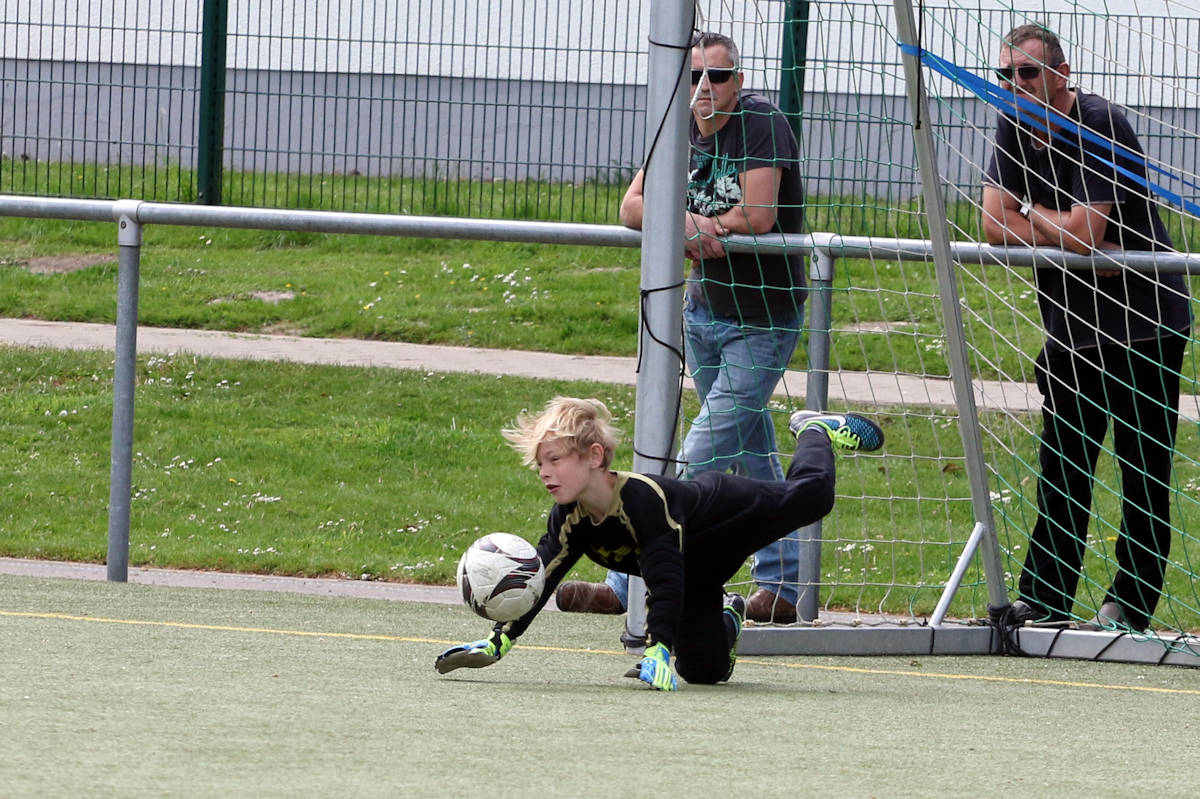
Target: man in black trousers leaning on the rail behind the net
{"points": [[1114, 339]]}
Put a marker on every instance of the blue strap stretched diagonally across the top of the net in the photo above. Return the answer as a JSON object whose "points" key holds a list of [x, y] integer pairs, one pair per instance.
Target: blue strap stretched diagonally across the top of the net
{"points": [[1034, 115]]}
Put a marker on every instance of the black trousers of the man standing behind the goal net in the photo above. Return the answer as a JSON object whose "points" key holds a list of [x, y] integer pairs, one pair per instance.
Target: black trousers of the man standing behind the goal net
{"points": [[1138, 388]]}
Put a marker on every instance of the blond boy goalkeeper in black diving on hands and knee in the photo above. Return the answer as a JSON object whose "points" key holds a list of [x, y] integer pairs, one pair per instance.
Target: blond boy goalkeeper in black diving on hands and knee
{"points": [[686, 538]]}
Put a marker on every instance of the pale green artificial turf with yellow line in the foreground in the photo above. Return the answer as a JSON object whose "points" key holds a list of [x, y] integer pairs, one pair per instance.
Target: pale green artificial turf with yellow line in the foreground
{"points": [[124, 690]]}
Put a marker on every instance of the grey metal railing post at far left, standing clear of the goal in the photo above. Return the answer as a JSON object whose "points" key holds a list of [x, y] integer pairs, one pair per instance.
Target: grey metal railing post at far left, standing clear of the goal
{"points": [[124, 379]]}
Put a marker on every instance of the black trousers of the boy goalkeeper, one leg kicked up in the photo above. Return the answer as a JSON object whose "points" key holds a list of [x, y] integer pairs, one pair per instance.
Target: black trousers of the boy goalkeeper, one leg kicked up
{"points": [[743, 516]]}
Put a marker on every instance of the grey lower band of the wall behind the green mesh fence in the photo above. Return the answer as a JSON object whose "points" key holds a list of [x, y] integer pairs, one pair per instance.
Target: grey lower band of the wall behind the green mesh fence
{"points": [[452, 128]]}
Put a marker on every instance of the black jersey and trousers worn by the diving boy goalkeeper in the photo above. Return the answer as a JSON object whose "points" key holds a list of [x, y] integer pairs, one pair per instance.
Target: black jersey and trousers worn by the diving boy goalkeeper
{"points": [[687, 539]]}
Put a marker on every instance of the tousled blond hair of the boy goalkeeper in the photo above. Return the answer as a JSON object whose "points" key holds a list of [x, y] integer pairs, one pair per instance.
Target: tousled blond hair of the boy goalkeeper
{"points": [[579, 423]]}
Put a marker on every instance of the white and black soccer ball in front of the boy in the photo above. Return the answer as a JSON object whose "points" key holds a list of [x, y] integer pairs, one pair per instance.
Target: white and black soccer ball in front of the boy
{"points": [[501, 576]]}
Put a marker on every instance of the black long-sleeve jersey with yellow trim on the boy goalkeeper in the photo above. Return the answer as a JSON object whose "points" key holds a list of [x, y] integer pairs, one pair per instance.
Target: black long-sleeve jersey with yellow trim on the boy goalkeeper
{"points": [[640, 534]]}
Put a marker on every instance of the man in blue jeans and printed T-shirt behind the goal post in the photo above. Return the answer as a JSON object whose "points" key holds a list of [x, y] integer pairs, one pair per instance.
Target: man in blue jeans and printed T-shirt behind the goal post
{"points": [[743, 311]]}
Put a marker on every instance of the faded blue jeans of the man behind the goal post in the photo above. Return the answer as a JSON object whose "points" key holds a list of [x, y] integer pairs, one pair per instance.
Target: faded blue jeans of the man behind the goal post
{"points": [[736, 369]]}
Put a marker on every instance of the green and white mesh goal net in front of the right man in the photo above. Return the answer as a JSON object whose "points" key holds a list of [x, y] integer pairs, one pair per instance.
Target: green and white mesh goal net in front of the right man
{"points": [[905, 516]]}
